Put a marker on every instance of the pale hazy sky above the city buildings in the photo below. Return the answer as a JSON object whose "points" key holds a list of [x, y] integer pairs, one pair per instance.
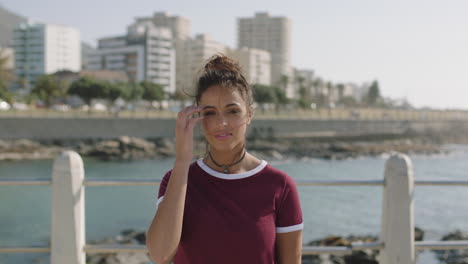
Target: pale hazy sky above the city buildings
{"points": [[416, 49]]}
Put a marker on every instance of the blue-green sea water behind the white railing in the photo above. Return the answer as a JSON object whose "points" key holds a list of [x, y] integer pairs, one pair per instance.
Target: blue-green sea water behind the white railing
{"points": [[25, 210]]}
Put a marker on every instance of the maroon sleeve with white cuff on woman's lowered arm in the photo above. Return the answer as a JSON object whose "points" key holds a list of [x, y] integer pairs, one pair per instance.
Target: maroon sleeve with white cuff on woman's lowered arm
{"points": [[289, 212]]}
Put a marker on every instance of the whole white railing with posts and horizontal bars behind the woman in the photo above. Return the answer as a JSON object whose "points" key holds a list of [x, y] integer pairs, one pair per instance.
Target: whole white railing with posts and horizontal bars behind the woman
{"points": [[396, 245]]}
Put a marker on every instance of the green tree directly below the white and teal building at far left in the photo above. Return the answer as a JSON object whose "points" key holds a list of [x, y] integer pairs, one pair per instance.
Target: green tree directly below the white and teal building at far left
{"points": [[48, 88]]}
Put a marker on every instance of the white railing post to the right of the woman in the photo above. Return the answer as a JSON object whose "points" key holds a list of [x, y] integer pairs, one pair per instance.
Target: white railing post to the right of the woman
{"points": [[397, 231]]}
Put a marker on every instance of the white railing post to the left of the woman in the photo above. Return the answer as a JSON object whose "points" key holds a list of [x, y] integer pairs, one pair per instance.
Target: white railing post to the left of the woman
{"points": [[68, 226]]}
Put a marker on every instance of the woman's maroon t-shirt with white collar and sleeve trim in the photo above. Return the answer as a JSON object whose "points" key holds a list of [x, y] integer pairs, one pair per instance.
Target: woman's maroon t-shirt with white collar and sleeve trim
{"points": [[234, 218]]}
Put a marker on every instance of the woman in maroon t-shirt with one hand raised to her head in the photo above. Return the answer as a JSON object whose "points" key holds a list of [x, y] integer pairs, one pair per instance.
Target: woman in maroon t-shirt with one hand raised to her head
{"points": [[228, 207]]}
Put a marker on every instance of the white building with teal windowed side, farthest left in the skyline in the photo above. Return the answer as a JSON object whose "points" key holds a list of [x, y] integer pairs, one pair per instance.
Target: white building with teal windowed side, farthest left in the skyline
{"points": [[44, 49]]}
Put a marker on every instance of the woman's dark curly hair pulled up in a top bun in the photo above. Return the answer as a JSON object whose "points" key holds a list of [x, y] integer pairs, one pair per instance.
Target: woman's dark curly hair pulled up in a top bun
{"points": [[223, 71]]}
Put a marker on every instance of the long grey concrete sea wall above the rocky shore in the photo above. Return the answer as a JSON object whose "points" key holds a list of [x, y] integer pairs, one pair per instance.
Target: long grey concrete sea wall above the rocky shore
{"points": [[67, 128]]}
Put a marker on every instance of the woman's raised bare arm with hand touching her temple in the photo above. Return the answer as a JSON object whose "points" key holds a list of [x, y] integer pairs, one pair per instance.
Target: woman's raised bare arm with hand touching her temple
{"points": [[165, 231]]}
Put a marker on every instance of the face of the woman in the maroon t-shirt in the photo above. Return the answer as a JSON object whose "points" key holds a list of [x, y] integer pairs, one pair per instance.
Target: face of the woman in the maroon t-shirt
{"points": [[226, 117]]}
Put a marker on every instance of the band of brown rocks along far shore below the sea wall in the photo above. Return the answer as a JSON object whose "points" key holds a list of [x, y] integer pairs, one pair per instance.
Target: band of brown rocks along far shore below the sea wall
{"points": [[131, 148]]}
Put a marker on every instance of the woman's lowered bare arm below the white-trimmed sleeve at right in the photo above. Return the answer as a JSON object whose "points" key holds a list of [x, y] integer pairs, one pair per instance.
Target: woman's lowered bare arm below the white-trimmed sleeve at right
{"points": [[289, 247]]}
